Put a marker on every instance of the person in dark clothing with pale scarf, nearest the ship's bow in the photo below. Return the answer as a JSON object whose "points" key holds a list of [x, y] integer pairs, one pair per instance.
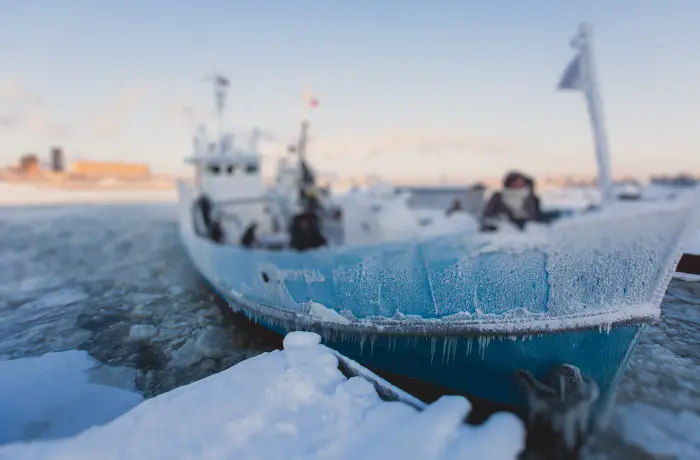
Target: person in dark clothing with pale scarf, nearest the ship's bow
{"points": [[516, 202]]}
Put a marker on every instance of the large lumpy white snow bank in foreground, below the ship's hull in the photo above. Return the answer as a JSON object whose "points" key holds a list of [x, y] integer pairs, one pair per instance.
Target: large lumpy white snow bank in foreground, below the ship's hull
{"points": [[288, 404]]}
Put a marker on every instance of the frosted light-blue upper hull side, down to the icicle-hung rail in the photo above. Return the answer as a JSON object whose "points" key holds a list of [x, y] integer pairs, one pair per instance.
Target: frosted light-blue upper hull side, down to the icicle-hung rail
{"points": [[577, 275]]}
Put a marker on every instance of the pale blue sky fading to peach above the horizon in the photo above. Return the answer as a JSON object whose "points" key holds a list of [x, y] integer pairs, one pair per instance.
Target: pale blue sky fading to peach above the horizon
{"points": [[451, 89]]}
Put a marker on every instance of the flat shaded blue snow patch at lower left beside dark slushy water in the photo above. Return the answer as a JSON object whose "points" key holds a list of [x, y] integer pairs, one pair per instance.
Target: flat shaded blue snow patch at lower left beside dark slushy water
{"points": [[58, 395]]}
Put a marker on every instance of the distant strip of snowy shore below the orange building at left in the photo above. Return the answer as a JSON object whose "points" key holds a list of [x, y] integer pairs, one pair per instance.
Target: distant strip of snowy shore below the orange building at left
{"points": [[23, 195]]}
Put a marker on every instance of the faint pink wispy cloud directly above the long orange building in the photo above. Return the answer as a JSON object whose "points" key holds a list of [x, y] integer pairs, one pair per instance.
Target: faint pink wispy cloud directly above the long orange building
{"points": [[113, 118]]}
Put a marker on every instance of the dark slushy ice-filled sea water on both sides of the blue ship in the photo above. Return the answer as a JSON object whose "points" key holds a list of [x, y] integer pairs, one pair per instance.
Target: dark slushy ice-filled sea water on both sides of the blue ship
{"points": [[113, 280]]}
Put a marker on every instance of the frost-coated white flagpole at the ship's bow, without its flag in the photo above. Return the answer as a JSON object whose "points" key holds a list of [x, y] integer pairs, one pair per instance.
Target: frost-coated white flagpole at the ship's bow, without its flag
{"points": [[595, 112]]}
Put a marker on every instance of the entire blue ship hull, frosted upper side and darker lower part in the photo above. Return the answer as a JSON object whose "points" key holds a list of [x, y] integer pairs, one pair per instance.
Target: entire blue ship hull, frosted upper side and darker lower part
{"points": [[467, 312]]}
